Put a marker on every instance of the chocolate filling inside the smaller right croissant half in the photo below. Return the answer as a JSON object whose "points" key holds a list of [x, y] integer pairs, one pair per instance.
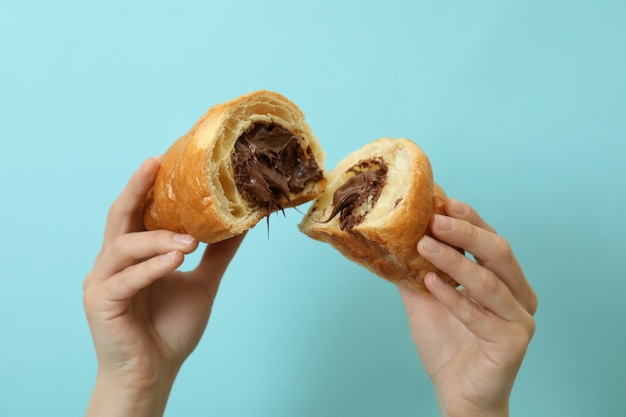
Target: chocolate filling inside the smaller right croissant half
{"points": [[363, 188]]}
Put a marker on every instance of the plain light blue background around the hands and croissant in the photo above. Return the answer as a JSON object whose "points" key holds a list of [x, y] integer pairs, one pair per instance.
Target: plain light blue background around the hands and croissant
{"points": [[520, 105]]}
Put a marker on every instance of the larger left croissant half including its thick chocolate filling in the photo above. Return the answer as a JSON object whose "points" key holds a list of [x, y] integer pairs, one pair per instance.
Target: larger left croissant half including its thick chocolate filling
{"points": [[242, 160]]}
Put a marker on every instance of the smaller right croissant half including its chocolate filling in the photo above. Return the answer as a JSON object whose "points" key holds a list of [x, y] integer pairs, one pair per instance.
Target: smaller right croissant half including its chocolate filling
{"points": [[376, 207]]}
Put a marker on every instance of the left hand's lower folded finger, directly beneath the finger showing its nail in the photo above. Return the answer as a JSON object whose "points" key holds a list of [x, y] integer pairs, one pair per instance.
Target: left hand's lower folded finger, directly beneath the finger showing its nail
{"points": [[127, 283]]}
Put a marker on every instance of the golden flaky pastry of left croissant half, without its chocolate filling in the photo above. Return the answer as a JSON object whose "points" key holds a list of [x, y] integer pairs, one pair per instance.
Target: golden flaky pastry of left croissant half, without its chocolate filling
{"points": [[194, 191]]}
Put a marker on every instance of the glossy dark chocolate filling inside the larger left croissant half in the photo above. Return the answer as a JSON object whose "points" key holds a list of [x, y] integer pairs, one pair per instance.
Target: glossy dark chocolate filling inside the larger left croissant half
{"points": [[270, 164]]}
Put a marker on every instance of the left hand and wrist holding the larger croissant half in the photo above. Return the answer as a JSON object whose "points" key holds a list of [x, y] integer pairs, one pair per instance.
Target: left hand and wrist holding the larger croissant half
{"points": [[145, 316]]}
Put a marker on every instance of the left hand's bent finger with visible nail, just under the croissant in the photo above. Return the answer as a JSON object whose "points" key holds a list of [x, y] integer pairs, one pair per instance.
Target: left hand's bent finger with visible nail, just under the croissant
{"points": [[132, 248]]}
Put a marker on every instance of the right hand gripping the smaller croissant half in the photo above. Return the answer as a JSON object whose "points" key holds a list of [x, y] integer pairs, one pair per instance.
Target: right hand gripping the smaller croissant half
{"points": [[471, 340]]}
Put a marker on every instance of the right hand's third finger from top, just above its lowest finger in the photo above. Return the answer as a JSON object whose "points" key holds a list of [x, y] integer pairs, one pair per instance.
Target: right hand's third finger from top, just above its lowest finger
{"points": [[480, 283]]}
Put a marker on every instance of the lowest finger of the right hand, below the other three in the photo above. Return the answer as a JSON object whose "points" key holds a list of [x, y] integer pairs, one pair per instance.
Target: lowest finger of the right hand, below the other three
{"points": [[478, 320]]}
